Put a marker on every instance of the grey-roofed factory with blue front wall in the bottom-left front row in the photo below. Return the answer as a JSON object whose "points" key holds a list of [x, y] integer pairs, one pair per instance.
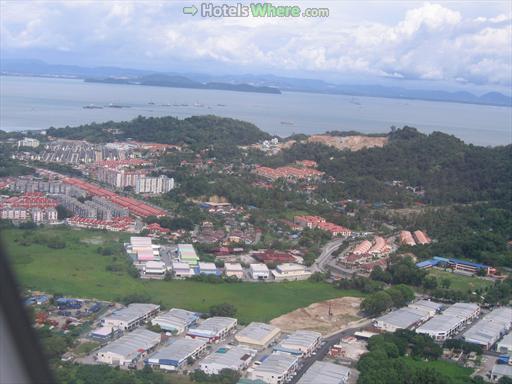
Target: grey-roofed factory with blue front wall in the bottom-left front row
{"points": [[173, 356]]}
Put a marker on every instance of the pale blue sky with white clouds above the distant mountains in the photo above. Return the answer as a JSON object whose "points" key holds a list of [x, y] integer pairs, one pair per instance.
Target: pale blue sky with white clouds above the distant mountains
{"points": [[446, 44]]}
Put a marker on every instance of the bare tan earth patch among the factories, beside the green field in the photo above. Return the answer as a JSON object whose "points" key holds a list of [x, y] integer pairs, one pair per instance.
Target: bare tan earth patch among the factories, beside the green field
{"points": [[315, 317]]}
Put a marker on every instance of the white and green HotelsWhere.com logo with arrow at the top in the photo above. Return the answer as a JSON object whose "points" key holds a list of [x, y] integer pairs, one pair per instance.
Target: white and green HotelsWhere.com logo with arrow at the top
{"points": [[253, 10]]}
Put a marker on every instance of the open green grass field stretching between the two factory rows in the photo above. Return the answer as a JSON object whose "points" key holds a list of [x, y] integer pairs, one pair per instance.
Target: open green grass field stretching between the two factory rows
{"points": [[79, 270]]}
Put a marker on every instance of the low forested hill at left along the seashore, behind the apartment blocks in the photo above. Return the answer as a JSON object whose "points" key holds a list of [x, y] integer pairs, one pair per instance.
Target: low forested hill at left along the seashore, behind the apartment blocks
{"points": [[197, 131]]}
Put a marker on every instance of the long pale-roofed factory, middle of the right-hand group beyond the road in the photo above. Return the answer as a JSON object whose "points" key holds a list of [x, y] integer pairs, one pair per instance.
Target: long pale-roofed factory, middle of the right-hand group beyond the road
{"points": [[451, 321]]}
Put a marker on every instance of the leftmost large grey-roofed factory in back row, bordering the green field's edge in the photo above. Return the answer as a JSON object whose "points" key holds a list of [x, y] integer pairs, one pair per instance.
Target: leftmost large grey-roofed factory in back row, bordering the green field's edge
{"points": [[132, 316]]}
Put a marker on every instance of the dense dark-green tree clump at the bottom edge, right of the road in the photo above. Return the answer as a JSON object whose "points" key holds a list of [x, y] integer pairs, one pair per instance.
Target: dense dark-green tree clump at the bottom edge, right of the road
{"points": [[406, 357]]}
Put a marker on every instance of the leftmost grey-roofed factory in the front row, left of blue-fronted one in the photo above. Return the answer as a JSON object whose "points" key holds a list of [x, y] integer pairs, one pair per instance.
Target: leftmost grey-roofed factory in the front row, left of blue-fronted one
{"points": [[129, 348]]}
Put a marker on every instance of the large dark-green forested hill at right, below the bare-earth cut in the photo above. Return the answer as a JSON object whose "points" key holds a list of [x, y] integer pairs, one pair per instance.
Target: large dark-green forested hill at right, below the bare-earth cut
{"points": [[449, 170]]}
